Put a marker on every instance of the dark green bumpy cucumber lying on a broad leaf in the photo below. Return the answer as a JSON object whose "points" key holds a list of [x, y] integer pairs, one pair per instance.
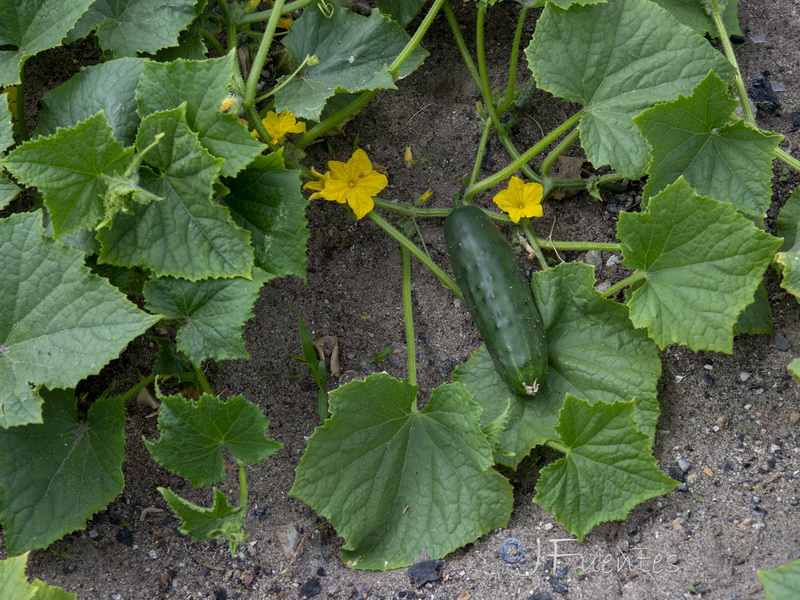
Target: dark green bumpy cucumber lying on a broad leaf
{"points": [[498, 298]]}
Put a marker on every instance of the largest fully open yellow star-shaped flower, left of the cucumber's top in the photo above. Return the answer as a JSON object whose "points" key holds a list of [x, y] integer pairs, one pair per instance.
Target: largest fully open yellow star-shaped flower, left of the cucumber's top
{"points": [[354, 182]]}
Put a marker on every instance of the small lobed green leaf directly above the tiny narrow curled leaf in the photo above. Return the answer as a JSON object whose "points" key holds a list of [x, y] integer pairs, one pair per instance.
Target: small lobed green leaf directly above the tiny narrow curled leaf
{"points": [[192, 436]]}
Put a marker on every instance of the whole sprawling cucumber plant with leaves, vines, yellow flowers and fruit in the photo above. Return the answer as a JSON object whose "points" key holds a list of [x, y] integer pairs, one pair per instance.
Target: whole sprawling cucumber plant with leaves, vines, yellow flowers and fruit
{"points": [[147, 179]]}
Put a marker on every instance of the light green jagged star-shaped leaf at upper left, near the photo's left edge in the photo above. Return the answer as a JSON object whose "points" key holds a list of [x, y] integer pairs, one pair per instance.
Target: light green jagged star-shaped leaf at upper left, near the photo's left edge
{"points": [[72, 180]]}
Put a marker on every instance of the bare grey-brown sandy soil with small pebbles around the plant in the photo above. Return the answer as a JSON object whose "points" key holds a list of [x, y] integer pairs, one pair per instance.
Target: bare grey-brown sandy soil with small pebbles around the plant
{"points": [[729, 416]]}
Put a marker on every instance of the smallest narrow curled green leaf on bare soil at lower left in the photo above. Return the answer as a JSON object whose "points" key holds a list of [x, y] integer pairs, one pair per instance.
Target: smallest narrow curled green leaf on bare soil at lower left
{"points": [[219, 521]]}
